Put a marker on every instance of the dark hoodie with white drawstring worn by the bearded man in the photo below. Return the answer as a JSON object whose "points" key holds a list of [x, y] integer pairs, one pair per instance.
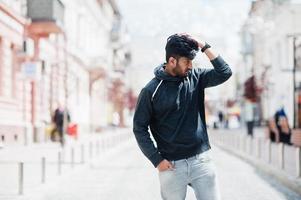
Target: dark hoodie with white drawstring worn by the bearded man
{"points": [[173, 108]]}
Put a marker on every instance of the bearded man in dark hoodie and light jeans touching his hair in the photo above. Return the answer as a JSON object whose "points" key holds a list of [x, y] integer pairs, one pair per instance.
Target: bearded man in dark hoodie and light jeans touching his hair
{"points": [[172, 105]]}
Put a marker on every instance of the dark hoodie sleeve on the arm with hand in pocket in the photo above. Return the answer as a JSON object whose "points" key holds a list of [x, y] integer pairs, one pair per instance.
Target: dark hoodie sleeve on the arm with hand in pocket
{"points": [[141, 122]]}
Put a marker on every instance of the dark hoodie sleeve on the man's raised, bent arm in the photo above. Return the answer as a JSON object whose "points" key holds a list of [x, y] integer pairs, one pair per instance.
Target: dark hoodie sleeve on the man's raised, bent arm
{"points": [[216, 76]]}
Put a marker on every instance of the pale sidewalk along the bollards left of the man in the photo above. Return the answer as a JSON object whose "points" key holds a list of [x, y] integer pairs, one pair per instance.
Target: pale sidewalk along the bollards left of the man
{"points": [[72, 156]]}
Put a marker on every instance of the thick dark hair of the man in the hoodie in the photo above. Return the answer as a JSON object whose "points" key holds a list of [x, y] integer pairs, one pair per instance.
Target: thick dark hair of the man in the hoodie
{"points": [[181, 45]]}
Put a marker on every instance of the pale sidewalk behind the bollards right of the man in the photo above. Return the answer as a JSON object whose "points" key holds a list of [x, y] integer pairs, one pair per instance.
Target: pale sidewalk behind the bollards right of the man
{"points": [[280, 161]]}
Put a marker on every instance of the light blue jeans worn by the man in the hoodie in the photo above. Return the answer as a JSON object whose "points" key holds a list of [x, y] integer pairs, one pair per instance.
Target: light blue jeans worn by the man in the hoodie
{"points": [[197, 171]]}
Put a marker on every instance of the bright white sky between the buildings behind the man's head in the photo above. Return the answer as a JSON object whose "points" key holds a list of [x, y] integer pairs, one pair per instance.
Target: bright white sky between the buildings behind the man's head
{"points": [[150, 22]]}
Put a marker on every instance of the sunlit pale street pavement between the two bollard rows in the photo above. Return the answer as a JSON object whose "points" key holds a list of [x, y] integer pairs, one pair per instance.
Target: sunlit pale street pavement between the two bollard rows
{"points": [[124, 173]]}
